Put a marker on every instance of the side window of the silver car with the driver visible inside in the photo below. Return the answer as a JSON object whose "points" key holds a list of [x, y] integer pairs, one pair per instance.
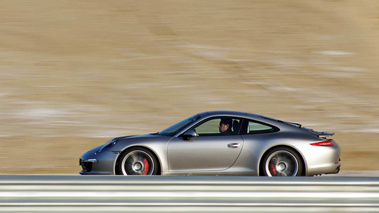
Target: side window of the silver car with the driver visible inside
{"points": [[219, 126]]}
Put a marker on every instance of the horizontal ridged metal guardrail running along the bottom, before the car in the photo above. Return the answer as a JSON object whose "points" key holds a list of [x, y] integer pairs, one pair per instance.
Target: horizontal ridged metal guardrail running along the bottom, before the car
{"points": [[187, 194]]}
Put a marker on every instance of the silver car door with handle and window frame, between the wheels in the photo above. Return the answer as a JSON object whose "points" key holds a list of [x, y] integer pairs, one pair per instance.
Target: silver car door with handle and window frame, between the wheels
{"points": [[209, 151]]}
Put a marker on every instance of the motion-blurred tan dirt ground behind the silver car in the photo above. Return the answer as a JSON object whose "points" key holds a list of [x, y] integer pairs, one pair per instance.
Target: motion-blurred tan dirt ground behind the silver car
{"points": [[74, 74]]}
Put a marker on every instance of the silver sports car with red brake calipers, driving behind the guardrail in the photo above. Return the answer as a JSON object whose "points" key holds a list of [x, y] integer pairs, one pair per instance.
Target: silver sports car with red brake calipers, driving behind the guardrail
{"points": [[219, 143]]}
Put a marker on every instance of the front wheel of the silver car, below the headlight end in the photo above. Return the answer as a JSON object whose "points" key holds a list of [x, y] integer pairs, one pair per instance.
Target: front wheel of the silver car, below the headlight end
{"points": [[138, 161]]}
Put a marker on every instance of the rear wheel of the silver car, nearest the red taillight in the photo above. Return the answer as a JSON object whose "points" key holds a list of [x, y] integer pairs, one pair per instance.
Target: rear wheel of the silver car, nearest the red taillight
{"points": [[282, 161]]}
